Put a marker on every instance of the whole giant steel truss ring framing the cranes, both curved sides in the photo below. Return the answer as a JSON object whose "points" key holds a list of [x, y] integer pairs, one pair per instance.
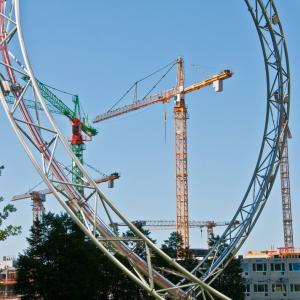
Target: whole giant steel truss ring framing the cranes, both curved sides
{"points": [[47, 149]]}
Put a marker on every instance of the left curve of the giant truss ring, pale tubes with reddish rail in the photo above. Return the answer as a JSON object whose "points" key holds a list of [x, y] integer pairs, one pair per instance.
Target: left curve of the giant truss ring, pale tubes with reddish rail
{"points": [[50, 152]]}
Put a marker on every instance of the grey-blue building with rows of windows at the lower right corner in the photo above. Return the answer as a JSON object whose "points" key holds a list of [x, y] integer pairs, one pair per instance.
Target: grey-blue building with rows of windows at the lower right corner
{"points": [[272, 274]]}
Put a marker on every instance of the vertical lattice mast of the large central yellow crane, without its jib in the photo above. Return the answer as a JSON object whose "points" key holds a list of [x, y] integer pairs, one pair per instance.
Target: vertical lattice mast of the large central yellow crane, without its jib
{"points": [[180, 115]]}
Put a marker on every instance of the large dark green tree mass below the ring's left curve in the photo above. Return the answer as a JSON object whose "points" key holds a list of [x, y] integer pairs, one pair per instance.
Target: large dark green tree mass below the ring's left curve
{"points": [[62, 264]]}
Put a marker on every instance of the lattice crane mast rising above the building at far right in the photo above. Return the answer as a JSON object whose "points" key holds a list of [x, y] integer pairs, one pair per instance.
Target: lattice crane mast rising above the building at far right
{"points": [[285, 191]]}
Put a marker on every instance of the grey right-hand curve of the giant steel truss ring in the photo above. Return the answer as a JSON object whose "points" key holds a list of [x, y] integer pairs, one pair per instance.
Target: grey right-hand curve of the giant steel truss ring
{"points": [[274, 50]]}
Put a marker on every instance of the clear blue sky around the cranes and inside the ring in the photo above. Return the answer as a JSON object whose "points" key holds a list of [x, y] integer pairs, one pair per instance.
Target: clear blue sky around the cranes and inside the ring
{"points": [[99, 49]]}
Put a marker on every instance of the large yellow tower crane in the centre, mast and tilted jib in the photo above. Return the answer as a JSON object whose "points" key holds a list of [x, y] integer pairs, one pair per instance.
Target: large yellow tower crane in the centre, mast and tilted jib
{"points": [[180, 115]]}
